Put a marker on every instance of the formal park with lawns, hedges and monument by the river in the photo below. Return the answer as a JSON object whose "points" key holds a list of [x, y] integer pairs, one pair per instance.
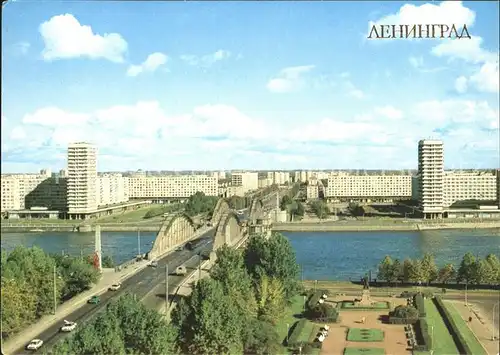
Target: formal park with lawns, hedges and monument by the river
{"points": [[413, 322]]}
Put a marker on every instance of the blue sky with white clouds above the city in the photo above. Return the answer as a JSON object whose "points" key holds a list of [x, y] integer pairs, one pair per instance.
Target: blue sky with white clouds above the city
{"points": [[246, 85]]}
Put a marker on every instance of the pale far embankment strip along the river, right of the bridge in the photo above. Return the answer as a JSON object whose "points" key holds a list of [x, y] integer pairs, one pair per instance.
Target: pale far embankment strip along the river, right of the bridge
{"points": [[372, 226]]}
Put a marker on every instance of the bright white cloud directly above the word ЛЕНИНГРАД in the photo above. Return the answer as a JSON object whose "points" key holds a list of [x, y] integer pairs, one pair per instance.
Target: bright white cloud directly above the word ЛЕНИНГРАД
{"points": [[446, 13]]}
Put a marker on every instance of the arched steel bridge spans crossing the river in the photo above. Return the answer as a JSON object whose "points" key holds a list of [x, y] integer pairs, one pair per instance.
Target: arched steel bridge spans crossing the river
{"points": [[227, 226]]}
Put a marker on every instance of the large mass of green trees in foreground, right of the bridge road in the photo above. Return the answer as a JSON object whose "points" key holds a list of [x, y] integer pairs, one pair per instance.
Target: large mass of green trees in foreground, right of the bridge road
{"points": [[234, 311]]}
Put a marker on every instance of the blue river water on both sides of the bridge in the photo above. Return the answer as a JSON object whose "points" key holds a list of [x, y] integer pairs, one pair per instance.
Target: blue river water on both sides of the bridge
{"points": [[322, 255]]}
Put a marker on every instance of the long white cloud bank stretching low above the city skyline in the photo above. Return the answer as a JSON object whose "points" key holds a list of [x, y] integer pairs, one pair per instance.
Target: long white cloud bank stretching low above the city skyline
{"points": [[218, 136]]}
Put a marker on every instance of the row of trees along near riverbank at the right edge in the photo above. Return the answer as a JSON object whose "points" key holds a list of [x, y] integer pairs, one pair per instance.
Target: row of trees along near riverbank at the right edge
{"points": [[472, 270]]}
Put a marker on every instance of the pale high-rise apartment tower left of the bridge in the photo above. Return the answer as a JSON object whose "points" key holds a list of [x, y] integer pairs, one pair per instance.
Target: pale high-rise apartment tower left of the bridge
{"points": [[82, 180]]}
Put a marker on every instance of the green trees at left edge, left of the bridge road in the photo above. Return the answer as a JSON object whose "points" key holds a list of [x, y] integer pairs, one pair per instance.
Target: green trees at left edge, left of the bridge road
{"points": [[28, 276]]}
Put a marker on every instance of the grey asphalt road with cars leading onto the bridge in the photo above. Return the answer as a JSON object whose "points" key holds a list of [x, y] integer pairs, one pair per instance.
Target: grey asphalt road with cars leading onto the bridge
{"points": [[139, 284]]}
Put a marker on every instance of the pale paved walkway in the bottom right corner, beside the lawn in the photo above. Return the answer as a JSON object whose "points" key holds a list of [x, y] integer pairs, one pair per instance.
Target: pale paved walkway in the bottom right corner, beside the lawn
{"points": [[481, 326]]}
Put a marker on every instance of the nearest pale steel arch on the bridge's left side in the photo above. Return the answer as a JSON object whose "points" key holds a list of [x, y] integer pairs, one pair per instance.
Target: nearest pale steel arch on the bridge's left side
{"points": [[176, 229]]}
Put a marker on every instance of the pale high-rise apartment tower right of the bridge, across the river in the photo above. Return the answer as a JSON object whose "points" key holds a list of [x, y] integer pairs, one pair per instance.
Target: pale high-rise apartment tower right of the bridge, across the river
{"points": [[431, 177]]}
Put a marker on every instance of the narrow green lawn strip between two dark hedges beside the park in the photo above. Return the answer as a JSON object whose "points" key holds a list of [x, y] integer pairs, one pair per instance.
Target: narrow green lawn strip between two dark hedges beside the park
{"points": [[441, 339]]}
